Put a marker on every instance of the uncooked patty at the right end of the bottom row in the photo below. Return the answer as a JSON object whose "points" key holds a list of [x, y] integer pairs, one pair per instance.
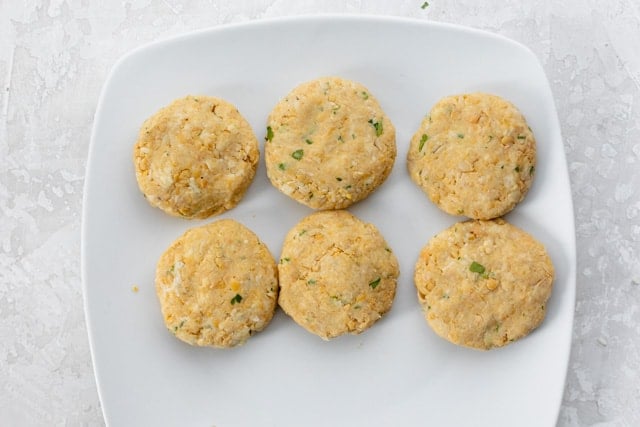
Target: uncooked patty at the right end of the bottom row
{"points": [[484, 284]]}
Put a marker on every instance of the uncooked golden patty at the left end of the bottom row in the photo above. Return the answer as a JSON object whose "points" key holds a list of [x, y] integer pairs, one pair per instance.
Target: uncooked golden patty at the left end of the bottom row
{"points": [[217, 285]]}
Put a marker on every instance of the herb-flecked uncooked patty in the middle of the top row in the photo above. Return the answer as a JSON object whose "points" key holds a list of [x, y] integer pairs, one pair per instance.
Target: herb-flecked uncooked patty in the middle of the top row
{"points": [[329, 144]]}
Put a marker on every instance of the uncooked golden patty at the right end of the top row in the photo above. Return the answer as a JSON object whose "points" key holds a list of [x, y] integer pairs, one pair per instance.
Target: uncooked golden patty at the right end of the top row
{"points": [[473, 155]]}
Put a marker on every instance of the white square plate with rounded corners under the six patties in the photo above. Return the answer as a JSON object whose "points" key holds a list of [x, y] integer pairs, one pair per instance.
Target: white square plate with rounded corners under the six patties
{"points": [[396, 373]]}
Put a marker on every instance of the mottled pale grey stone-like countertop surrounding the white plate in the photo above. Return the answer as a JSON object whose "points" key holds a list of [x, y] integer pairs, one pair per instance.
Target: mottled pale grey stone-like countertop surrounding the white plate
{"points": [[55, 56]]}
